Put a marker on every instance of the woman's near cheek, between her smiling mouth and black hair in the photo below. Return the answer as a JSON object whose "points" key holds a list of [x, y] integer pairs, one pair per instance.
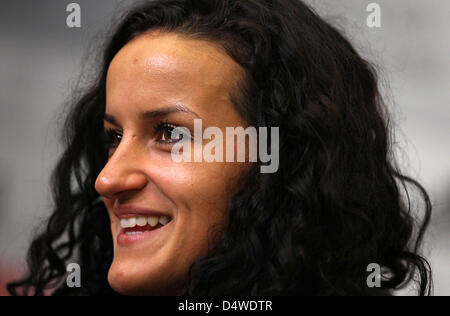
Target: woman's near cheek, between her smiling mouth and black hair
{"points": [[201, 192]]}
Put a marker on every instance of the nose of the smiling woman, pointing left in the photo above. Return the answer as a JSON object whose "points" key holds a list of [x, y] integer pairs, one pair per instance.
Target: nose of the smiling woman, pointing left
{"points": [[121, 175]]}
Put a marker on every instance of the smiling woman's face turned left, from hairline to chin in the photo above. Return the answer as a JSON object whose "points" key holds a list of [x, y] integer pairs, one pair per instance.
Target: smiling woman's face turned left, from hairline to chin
{"points": [[163, 213]]}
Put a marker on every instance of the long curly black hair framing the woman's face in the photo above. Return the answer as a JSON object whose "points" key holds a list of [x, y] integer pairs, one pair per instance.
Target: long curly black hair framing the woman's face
{"points": [[338, 202]]}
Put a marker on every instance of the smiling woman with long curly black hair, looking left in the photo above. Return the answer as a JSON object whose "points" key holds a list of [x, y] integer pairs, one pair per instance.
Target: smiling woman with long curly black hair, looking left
{"points": [[139, 223]]}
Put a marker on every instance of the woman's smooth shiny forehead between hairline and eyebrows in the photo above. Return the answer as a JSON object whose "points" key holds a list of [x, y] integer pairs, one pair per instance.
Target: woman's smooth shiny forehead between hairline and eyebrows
{"points": [[169, 65]]}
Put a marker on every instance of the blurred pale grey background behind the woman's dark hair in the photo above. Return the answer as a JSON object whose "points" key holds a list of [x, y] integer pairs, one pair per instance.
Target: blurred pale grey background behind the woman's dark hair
{"points": [[41, 59]]}
